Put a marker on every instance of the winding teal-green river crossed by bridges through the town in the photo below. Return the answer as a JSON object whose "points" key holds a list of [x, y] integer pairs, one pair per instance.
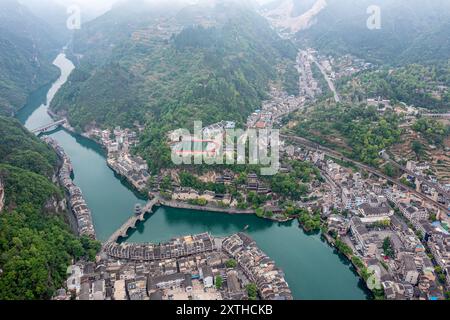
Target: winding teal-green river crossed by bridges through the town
{"points": [[313, 269]]}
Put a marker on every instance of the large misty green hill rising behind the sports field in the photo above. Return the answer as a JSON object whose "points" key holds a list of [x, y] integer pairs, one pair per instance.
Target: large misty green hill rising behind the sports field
{"points": [[172, 70]]}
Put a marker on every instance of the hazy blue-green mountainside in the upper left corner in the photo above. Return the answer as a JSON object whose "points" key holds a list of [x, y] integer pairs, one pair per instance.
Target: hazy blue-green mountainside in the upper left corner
{"points": [[27, 49]]}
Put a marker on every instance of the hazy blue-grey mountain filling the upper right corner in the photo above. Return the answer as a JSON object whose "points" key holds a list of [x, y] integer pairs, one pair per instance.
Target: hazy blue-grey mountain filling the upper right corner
{"points": [[411, 30]]}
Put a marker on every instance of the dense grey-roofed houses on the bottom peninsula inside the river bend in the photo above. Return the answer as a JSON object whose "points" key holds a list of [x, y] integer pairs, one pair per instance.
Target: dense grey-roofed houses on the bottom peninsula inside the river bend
{"points": [[191, 267]]}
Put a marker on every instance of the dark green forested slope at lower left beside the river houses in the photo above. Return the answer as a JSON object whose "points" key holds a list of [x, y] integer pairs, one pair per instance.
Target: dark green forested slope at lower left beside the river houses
{"points": [[36, 244]]}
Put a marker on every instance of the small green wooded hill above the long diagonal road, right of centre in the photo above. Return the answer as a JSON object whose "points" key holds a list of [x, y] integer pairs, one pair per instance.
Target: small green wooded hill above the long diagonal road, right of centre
{"points": [[358, 131]]}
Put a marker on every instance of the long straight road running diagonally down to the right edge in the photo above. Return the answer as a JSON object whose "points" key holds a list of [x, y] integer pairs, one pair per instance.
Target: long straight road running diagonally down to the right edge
{"points": [[334, 154]]}
